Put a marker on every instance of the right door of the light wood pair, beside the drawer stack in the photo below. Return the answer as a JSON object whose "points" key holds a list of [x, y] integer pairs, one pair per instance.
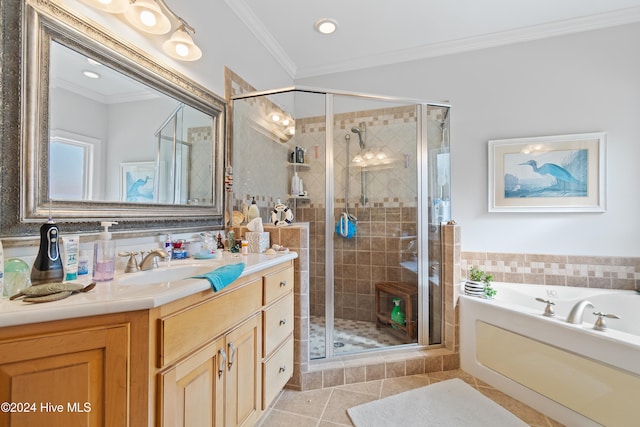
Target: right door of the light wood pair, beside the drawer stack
{"points": [[244, 382]]}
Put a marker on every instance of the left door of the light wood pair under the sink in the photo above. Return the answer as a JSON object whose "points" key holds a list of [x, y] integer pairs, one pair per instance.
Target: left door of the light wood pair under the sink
{"points": [[192, 392]]}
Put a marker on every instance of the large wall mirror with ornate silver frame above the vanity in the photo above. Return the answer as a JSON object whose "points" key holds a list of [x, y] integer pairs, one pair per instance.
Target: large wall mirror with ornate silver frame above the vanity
{"points": [[107, 132]]}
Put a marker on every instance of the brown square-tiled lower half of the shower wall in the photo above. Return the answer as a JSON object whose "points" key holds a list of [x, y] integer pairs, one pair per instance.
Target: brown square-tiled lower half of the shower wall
{"points": [[383, 240]]}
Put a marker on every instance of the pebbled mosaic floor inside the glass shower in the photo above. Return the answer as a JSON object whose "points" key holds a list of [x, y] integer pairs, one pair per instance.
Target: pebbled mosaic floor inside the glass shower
{"points": [[349, 336]]}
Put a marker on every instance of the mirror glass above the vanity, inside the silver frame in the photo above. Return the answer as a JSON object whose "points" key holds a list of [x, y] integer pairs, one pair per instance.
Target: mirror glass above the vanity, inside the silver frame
{"points": [[115, 139]]}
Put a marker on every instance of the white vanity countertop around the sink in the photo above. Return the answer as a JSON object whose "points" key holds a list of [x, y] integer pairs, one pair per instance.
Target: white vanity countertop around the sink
{"points": [[113, 297]]}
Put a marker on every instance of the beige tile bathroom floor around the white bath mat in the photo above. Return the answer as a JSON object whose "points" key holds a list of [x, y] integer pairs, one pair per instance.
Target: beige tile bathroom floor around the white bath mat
{"points": [[327, 407]]}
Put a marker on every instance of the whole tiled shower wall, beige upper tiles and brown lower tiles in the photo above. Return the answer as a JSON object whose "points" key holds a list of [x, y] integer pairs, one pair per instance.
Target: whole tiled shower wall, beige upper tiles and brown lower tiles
{"points": [[387, 218]]}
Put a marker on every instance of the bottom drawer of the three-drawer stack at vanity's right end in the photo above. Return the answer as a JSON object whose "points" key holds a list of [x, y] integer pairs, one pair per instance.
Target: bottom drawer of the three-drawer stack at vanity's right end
{"points": [[276, 371]]}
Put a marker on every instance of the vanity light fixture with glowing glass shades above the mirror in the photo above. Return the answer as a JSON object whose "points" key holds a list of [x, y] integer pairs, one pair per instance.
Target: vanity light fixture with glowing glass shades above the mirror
{"points": [[155, 17]]}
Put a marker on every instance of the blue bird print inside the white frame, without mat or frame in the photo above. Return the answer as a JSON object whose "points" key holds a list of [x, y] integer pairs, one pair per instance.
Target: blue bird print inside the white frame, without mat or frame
{"points": [[551, 174]]}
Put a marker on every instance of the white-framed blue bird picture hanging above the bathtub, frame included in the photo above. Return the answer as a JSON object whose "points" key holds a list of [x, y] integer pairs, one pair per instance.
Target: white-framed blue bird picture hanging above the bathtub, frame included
{"points": [[563, 173]]}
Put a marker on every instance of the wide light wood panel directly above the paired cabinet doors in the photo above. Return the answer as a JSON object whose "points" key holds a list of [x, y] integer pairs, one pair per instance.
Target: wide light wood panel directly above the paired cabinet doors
{"points": [[184, 331]]}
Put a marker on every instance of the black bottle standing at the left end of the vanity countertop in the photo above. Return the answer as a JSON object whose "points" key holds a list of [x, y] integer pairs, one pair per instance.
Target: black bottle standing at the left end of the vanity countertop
{"points": [[47, 268]]}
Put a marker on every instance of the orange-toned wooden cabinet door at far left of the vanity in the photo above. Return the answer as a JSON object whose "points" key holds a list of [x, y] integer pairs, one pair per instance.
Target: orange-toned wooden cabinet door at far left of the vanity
{"points": [[76, 378]]}
